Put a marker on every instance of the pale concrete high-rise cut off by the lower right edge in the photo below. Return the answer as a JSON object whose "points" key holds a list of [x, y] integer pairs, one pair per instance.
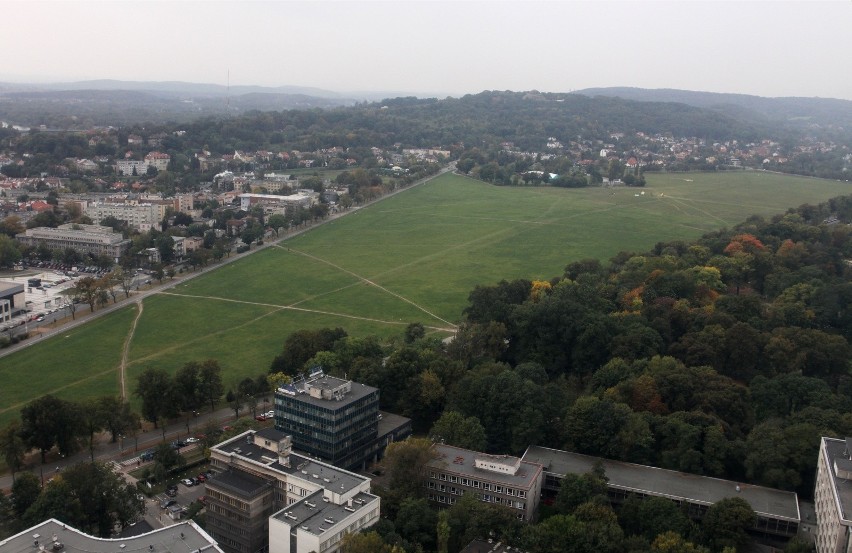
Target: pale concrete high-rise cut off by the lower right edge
{"points": [[833, 496]]}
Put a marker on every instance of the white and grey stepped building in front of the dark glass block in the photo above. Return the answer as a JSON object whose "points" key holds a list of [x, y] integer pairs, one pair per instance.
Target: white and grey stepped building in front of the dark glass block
{"points": [[265, 497]]}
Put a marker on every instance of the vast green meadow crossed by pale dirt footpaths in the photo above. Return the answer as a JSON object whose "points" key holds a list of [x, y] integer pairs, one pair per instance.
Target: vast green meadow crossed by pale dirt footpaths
{"points": [[412, 257]]}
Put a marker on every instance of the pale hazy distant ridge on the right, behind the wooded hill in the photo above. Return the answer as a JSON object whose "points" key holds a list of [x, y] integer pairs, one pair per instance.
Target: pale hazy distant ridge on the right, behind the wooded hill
{"points": [[791, 110]]}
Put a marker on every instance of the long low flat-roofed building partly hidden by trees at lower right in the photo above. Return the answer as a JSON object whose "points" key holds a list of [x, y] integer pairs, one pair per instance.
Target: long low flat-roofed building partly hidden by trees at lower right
{"points": [[777, 511]]}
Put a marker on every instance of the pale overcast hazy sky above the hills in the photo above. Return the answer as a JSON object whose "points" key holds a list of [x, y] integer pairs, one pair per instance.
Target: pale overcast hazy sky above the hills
{"points": [[766, 48]]}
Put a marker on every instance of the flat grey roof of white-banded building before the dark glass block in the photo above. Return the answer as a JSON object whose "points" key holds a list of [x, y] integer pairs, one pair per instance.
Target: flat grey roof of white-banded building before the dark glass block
{"points": [[301, 466]]}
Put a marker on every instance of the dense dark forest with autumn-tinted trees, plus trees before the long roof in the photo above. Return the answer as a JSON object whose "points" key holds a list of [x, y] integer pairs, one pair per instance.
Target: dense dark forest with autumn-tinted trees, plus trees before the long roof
{"points": [[726, 357]]}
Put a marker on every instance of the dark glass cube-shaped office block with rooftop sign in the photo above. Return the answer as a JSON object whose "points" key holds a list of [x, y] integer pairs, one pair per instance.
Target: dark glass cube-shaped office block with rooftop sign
{"points": [[337, 420]]}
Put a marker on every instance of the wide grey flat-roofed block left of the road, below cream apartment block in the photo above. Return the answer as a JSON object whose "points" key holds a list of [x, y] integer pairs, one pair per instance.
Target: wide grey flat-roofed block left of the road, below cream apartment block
{"points": [[86, 239]]}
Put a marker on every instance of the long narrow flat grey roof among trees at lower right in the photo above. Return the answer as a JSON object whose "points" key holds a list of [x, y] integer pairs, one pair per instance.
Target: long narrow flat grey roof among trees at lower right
{"points": [[701, 490]]}
